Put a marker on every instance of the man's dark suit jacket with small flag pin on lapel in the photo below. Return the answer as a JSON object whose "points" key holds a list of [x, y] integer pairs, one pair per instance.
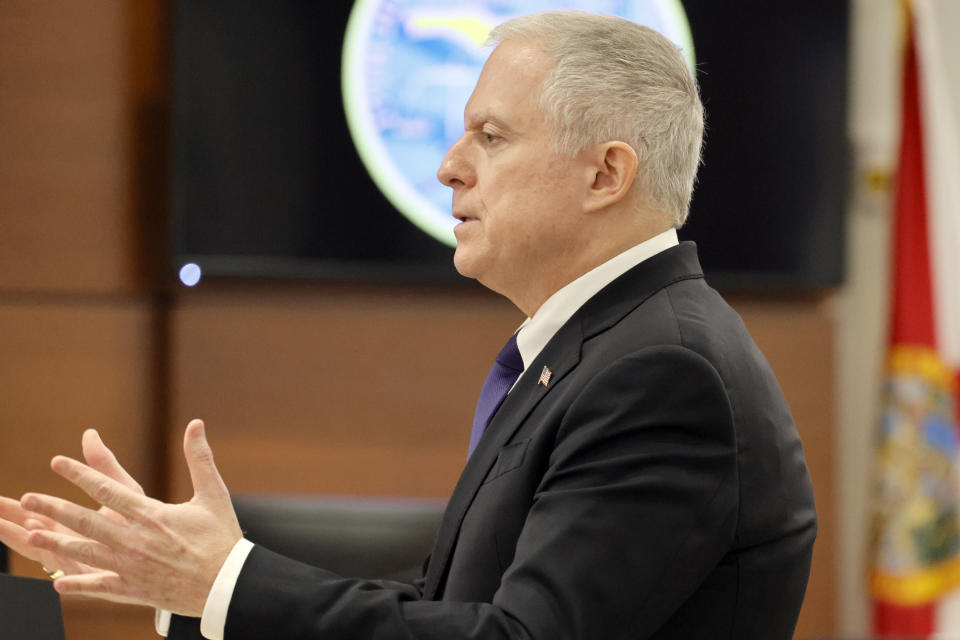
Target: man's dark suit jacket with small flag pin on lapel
{"points": [[655, 488]]}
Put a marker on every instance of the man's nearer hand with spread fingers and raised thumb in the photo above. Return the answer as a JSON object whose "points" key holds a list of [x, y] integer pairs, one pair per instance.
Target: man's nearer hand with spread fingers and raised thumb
{"points": [[165, 555]]}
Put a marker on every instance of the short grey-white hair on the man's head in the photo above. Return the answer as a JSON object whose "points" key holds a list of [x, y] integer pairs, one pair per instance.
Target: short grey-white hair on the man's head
{"points": [[617, 80]]}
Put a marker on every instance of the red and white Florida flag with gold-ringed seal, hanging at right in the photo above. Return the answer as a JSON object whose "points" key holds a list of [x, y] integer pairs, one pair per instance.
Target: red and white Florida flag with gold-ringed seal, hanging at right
{"points": [[915, 573]]}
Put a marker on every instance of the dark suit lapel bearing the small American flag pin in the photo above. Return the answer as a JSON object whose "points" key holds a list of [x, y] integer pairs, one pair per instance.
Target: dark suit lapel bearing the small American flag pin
{"points": [[561, 355]]}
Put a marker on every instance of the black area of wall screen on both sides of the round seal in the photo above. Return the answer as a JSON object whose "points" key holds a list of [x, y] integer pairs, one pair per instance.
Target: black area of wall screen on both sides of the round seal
{"points": [[267, 182]]}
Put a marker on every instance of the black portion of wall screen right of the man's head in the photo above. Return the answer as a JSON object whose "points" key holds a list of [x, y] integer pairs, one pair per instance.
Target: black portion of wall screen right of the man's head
{"points": [[768, 207]]}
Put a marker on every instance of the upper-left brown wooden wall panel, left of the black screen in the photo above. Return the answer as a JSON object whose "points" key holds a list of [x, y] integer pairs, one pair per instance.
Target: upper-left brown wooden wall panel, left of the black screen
{"points": [[66, 118]]}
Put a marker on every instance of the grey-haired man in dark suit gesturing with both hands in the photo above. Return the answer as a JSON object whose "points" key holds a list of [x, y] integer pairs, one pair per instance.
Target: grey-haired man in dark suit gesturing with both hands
{"points": [[634, 470]]}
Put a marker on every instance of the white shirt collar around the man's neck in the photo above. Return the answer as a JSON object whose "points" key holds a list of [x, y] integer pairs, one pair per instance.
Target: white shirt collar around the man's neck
{"points": [[535, 332]]}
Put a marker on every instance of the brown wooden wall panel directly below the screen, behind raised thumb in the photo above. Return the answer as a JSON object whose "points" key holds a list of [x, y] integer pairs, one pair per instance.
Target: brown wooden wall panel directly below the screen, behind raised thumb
{"points": [[334, 390]]}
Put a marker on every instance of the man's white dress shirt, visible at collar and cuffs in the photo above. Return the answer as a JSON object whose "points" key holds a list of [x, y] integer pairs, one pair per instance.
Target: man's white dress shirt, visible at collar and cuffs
{"points": [[533, 335]]}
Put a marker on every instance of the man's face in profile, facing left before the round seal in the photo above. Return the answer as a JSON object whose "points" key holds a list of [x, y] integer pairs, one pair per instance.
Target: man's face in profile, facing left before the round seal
{"points": [[516, 198]]}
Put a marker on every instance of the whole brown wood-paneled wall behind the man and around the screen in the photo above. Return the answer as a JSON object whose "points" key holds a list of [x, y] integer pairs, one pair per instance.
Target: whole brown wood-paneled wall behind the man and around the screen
{"points": [[317, 388]]}
